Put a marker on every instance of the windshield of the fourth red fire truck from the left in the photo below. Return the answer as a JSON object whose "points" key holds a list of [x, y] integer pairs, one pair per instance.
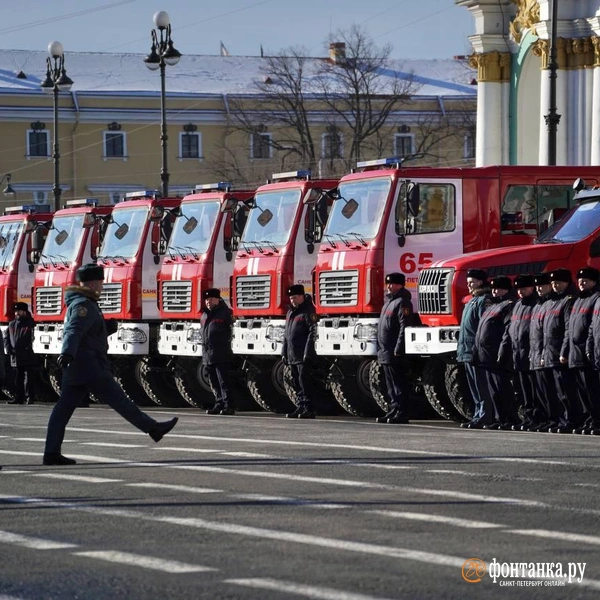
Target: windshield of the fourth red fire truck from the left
{"points": [[194, 227]]}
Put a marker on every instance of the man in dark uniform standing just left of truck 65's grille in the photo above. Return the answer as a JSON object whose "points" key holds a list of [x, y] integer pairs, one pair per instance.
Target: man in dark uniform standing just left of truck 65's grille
{"points": [[299, 348]]}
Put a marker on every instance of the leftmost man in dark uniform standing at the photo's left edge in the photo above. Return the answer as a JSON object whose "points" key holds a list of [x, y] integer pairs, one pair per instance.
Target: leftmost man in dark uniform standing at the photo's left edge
{"points": [[18, 344]]}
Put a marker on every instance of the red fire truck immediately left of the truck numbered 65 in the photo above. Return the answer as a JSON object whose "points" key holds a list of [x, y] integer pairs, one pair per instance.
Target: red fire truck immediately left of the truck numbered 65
{"points": [[277, 249]]}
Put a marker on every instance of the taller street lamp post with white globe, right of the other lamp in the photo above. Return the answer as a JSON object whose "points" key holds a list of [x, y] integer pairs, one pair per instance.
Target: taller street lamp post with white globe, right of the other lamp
{"points": [[162, 53]]}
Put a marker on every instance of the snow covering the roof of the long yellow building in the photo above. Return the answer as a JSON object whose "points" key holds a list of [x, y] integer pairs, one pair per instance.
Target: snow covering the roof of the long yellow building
{"points": [[96, 72]]}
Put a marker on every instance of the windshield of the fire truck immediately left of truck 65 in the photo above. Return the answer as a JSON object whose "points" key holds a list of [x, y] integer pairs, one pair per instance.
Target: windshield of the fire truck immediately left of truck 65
{"points": [[272, 217]]}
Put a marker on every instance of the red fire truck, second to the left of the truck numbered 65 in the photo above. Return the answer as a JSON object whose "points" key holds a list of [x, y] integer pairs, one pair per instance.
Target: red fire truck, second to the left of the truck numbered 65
{"points": [[200, 255]]}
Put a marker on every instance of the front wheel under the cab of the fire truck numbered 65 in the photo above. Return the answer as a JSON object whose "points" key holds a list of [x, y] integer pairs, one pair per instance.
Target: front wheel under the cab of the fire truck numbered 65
{"points": [[349, 383]]}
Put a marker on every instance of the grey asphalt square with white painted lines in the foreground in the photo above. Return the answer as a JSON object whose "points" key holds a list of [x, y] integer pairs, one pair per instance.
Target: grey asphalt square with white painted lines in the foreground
{"points": [[263, 507]]}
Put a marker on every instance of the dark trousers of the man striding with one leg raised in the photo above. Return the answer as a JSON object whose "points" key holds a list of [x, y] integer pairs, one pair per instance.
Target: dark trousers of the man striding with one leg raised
{"points": [[106, 389]]}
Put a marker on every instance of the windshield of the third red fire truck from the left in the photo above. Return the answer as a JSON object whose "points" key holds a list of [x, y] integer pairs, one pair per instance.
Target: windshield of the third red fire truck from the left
{"points": [[124, 233]]}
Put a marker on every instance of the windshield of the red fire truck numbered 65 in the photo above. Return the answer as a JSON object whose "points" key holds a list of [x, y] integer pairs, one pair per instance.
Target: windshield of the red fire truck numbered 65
{"points": [[358, 212]]}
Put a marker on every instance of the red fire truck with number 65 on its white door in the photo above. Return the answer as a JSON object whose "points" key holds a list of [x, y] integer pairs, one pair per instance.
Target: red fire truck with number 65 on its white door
{"points": [[389, 218]]}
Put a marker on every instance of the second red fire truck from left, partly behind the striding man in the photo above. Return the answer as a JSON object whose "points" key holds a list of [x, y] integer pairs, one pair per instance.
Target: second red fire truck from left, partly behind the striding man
{"points": [[74, 238]]}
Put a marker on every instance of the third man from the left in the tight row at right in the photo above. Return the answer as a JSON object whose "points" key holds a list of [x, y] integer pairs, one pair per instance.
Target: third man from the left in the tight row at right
{"points": [[514, 351]]}
